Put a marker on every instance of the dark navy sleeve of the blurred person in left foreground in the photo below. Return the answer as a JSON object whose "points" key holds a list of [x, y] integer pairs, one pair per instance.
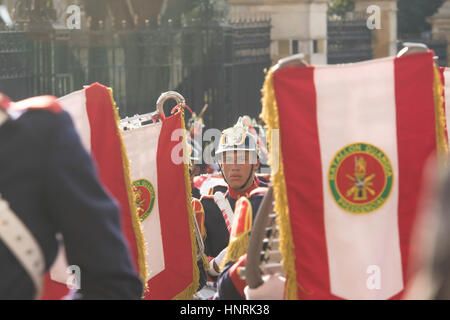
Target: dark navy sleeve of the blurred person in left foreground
{"points": [[87, 218]]}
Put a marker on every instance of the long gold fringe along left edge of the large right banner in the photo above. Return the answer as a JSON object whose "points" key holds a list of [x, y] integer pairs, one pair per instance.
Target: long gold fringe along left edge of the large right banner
{"points": [[270, 116]]}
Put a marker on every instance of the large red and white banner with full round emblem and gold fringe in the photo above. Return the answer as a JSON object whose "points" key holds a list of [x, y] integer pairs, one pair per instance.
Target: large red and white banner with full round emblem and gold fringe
{"points": [[353, 142]]}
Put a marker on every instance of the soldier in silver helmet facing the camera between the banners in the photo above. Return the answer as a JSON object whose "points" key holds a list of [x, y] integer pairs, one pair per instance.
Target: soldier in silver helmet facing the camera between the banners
{"points": [[238, 161]]}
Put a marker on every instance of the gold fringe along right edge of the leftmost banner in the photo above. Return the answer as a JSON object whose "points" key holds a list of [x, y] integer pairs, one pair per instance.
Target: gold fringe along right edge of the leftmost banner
{"points": [[137, 226]]}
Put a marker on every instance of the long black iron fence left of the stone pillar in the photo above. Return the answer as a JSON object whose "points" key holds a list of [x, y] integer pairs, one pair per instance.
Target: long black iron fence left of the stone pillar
{"points": [[220, 64]]}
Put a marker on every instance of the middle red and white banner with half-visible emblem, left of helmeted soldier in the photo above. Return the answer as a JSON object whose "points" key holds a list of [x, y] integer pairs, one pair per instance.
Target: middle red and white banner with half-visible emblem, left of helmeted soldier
{"points": [[160, 178]]}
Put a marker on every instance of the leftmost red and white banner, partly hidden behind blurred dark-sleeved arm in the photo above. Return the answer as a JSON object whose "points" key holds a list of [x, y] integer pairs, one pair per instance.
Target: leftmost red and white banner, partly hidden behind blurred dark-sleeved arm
{"points": [[96, 119]]}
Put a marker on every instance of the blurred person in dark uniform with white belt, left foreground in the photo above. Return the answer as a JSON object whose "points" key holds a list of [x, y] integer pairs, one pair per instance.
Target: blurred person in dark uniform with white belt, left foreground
{"points": [[48, 185]]}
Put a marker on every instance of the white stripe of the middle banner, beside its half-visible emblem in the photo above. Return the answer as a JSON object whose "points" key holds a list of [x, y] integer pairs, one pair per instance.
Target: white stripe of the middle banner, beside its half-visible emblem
{"points": [[142, 146]]}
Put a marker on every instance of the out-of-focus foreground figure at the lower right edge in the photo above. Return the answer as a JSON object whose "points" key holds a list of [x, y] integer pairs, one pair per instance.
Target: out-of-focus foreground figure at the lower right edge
{"points": [[430, 271]]}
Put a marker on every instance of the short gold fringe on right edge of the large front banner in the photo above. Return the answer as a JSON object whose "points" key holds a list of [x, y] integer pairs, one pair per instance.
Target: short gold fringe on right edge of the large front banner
{"points": [[441, 140]]}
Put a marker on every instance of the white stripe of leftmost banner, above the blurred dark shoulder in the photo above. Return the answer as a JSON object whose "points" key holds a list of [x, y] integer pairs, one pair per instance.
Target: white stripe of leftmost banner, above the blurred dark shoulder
{"points": [[75, 105]]}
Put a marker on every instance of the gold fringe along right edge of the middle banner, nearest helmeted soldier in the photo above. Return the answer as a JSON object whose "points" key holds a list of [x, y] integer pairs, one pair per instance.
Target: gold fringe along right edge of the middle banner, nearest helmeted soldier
{"points": [[189, 292]]}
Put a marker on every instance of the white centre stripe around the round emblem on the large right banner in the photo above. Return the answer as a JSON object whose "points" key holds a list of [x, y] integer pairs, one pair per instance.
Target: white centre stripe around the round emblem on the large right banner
{"points": [[356, 103]]}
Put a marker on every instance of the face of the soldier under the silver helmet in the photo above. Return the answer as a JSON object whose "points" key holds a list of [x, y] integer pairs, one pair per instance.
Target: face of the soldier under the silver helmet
{"points": [[237, 167]]}
